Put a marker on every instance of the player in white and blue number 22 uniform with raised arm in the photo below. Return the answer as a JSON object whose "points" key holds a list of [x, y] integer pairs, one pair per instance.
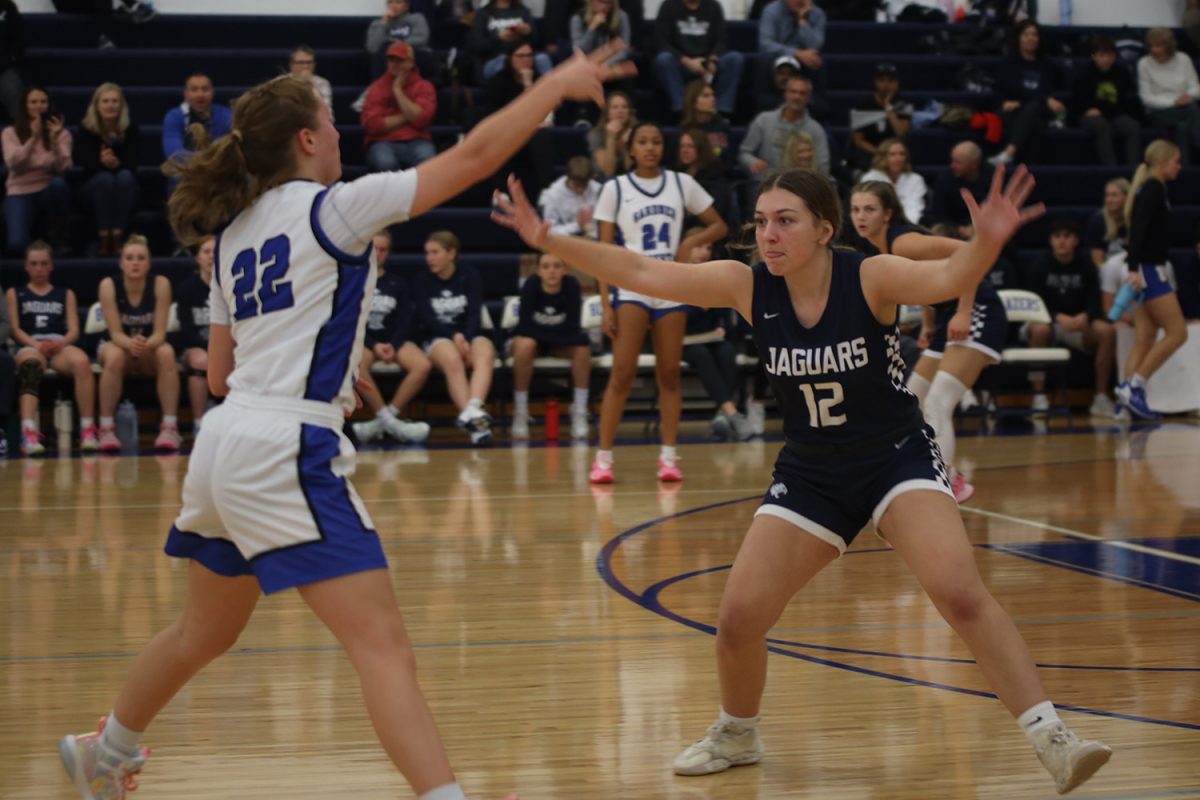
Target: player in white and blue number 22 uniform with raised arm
{"points": [[267, 503]]}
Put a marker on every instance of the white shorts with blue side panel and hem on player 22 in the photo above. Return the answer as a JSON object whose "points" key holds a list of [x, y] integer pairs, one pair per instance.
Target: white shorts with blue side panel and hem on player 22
{"points": [[268, 495]]}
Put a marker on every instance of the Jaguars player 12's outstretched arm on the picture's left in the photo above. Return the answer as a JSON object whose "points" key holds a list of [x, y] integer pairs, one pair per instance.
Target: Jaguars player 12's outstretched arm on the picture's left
{"points": [[713, 285]]}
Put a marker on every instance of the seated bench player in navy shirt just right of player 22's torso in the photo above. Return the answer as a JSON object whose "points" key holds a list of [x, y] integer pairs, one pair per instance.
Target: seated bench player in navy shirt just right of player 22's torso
{"points": [[389, 340]]}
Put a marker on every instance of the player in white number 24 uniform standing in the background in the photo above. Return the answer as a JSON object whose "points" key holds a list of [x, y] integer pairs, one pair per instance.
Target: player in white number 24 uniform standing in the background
{"points": [[649, 207]]}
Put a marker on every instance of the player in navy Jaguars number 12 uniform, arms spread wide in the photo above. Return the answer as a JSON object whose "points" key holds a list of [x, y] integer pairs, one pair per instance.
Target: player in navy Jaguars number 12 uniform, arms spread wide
{"points": [[825, 322]]}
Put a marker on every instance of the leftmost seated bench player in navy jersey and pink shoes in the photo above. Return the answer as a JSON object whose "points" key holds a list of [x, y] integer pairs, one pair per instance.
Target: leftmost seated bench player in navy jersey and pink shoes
{"points": [[46, 328]]}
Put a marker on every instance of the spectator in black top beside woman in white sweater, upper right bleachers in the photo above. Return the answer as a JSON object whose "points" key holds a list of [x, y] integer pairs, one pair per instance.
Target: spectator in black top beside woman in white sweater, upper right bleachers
{"points": [[1106, 103]]}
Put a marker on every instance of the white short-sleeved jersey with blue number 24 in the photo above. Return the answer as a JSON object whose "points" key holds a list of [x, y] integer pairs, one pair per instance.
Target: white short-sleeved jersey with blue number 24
{"points": [[650, 215]]}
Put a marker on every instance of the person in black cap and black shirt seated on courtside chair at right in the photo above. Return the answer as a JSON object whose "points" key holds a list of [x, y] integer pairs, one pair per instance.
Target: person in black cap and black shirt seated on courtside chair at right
{"points": [[1071, 287]]}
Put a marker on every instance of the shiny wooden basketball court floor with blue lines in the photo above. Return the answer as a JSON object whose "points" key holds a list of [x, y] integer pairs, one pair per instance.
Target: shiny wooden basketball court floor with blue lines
{"points": [[565, 633]]}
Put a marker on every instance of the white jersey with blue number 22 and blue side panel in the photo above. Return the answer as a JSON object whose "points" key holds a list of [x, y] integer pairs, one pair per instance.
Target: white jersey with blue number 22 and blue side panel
{"points": [[297, 305]]}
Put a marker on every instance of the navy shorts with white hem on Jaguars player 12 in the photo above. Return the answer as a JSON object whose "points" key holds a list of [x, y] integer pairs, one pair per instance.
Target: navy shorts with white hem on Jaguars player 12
{"points": [[833, 500]]}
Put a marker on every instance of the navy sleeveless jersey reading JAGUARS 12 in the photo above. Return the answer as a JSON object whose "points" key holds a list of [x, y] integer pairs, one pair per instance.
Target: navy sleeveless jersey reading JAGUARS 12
{"points": [[843, 381]]}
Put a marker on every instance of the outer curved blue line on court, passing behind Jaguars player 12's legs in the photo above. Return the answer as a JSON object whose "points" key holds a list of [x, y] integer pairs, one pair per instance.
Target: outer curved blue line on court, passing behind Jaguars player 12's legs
{"points": [[651, 603]]}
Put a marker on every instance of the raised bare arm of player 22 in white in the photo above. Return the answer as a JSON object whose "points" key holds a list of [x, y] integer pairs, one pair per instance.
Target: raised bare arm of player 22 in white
{"points": [[491, 143]]}
